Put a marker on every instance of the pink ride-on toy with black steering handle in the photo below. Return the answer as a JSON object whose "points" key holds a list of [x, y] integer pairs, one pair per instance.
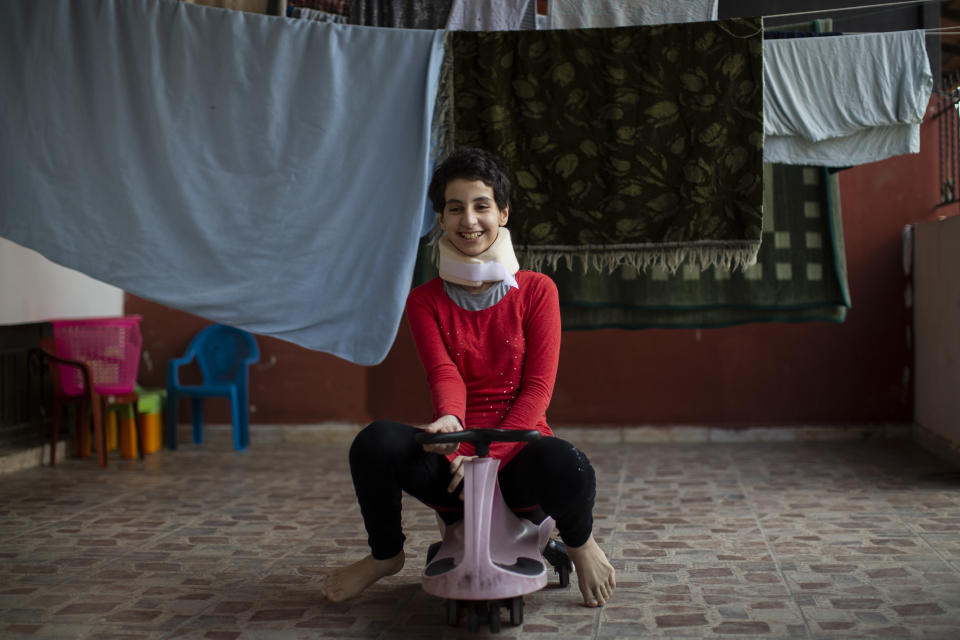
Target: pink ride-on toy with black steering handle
{"points": [[492, 557]]}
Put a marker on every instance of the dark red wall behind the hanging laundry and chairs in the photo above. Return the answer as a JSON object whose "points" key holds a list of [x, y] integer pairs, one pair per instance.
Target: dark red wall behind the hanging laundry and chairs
{"points": [[759, 374]]}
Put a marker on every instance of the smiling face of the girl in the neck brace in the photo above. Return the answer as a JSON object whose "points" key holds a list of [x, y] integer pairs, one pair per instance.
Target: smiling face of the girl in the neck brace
{"points": [[470, 216]]}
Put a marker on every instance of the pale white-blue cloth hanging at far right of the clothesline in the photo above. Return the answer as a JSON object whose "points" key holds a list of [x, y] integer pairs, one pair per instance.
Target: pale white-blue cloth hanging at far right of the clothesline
{"points": [[844, 100]]}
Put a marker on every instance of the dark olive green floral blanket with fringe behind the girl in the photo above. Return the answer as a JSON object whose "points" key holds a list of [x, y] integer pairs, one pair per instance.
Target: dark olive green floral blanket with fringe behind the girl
{"points": [[637, 146]]}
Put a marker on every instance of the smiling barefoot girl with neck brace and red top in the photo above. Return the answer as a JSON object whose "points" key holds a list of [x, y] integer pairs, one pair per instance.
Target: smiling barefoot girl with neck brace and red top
{"points": [[488, 336]]}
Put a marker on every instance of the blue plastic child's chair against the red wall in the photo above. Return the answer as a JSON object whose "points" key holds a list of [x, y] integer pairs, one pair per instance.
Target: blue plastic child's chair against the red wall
{"points": [[224, 355]]}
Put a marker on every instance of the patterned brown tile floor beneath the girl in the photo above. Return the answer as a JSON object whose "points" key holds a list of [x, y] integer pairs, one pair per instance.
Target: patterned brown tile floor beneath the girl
{"points": [[759, 540]]}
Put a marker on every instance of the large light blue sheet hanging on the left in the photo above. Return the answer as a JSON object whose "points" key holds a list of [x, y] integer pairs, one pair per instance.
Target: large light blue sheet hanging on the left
{"points": [[257, 171]]}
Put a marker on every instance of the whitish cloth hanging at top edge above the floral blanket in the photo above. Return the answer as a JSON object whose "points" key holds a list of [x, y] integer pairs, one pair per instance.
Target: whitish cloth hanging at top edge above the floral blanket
{"points": [[581, 14]]}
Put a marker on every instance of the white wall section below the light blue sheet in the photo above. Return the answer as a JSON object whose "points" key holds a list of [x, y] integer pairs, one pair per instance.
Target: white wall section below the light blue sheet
{"points": [[32, 289]]}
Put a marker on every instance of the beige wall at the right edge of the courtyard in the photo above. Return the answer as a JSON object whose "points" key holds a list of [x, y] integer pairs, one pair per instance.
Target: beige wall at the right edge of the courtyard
{"points": [[937, 328]]}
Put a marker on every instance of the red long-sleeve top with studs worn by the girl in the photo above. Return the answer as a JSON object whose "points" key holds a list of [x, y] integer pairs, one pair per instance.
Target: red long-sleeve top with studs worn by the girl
{"points": [[493, 368]]}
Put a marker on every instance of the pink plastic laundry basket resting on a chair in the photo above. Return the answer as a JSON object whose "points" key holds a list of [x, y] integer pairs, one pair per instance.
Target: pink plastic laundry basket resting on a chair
{"points": [[109, 346]]}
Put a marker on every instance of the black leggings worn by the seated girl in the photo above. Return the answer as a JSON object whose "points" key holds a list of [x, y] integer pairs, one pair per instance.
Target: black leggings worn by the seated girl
{"points": [[548, 473]]}
